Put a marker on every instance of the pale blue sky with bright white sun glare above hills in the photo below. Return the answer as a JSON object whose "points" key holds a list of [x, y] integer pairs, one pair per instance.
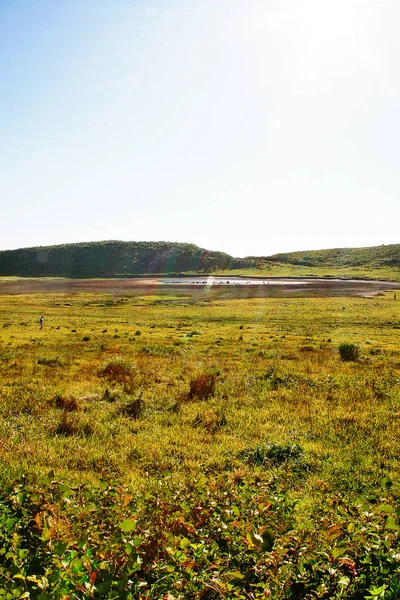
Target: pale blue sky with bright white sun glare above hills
{"points": [[246, 126]]}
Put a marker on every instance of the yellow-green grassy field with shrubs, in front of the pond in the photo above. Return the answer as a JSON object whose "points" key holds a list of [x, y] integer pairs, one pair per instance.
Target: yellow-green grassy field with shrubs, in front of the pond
{"points": [[188, 444]]}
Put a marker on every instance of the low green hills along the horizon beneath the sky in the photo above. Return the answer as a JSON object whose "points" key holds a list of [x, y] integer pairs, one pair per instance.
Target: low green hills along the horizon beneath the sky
{"points": [[130, 259]]}
